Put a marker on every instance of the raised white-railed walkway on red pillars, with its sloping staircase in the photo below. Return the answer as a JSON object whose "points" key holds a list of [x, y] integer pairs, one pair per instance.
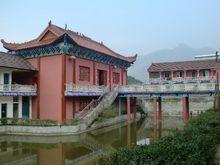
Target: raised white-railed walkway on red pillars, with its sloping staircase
{"points": [[155, 91]]}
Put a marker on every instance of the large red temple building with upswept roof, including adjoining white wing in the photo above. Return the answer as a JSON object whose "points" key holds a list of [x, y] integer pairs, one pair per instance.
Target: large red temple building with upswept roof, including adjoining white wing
{"points": [[56, 75]]}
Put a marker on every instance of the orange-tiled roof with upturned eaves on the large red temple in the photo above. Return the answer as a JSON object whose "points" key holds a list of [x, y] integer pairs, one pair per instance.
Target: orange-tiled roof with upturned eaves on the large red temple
{"points": [[81, 40]]}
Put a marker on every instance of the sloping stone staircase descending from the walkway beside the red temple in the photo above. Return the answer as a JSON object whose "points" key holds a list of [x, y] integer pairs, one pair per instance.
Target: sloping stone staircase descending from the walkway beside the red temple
{"points": [[103, 102]]}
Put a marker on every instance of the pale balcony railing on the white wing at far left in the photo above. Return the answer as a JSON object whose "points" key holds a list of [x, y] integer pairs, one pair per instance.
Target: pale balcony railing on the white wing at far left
{"points": [[17, 88]]}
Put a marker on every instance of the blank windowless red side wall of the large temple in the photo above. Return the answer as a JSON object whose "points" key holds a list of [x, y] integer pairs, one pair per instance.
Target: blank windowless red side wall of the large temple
{"points": [[50, 87]]}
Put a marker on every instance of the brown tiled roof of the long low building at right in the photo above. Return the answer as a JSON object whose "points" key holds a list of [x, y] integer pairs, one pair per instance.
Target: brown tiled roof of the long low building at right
{"points": [[184, 65]]}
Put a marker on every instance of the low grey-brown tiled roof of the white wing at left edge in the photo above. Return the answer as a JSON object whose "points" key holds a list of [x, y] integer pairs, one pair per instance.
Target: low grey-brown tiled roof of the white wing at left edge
{"points": [[13, 61]]}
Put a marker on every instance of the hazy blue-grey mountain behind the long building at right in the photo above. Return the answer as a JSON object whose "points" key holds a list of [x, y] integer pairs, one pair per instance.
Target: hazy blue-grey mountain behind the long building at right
{"points": [[182, 52]]}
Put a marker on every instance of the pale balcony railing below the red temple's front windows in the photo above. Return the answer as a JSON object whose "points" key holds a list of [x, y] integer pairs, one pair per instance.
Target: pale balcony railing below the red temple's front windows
{"points": [[80, 88]]}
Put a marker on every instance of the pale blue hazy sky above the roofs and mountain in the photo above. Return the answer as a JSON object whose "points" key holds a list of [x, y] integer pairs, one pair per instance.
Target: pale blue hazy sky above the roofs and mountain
{"points": [[126, 26]]}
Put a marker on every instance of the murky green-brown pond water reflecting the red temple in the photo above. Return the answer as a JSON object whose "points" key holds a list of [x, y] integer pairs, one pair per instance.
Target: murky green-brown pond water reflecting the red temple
{"points": [[85, 148]]}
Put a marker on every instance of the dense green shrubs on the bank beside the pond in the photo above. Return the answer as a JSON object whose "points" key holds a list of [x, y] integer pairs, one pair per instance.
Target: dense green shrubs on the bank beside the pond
{"points": [[195, 144]]}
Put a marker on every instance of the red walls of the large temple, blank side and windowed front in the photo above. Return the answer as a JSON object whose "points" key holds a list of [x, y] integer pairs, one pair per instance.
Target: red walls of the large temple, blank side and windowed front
{"points": [[50, 87]]}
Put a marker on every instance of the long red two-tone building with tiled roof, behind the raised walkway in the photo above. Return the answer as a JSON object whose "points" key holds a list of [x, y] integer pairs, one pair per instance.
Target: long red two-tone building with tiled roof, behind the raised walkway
{"points": [[192, 71]]}
